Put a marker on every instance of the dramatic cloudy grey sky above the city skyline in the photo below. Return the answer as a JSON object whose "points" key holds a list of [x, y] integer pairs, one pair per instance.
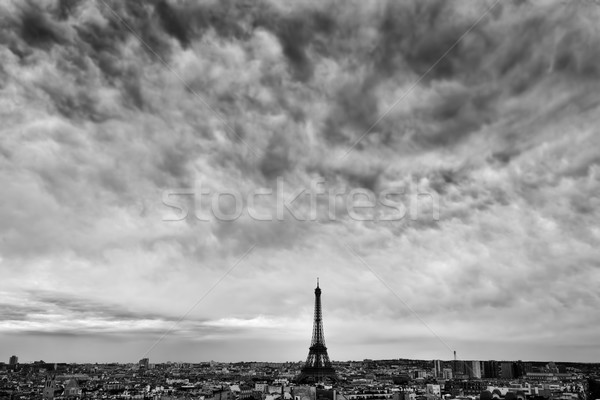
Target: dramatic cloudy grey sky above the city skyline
{"points": [[116, 115]]}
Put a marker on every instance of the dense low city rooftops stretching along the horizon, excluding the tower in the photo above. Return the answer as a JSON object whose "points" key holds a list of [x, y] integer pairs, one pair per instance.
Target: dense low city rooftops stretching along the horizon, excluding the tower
{"points": [[396, 379]]}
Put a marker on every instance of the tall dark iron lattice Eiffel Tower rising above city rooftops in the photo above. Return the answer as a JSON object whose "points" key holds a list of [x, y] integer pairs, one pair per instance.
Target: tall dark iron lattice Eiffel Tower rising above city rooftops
{"points": [[317, 367]]}
